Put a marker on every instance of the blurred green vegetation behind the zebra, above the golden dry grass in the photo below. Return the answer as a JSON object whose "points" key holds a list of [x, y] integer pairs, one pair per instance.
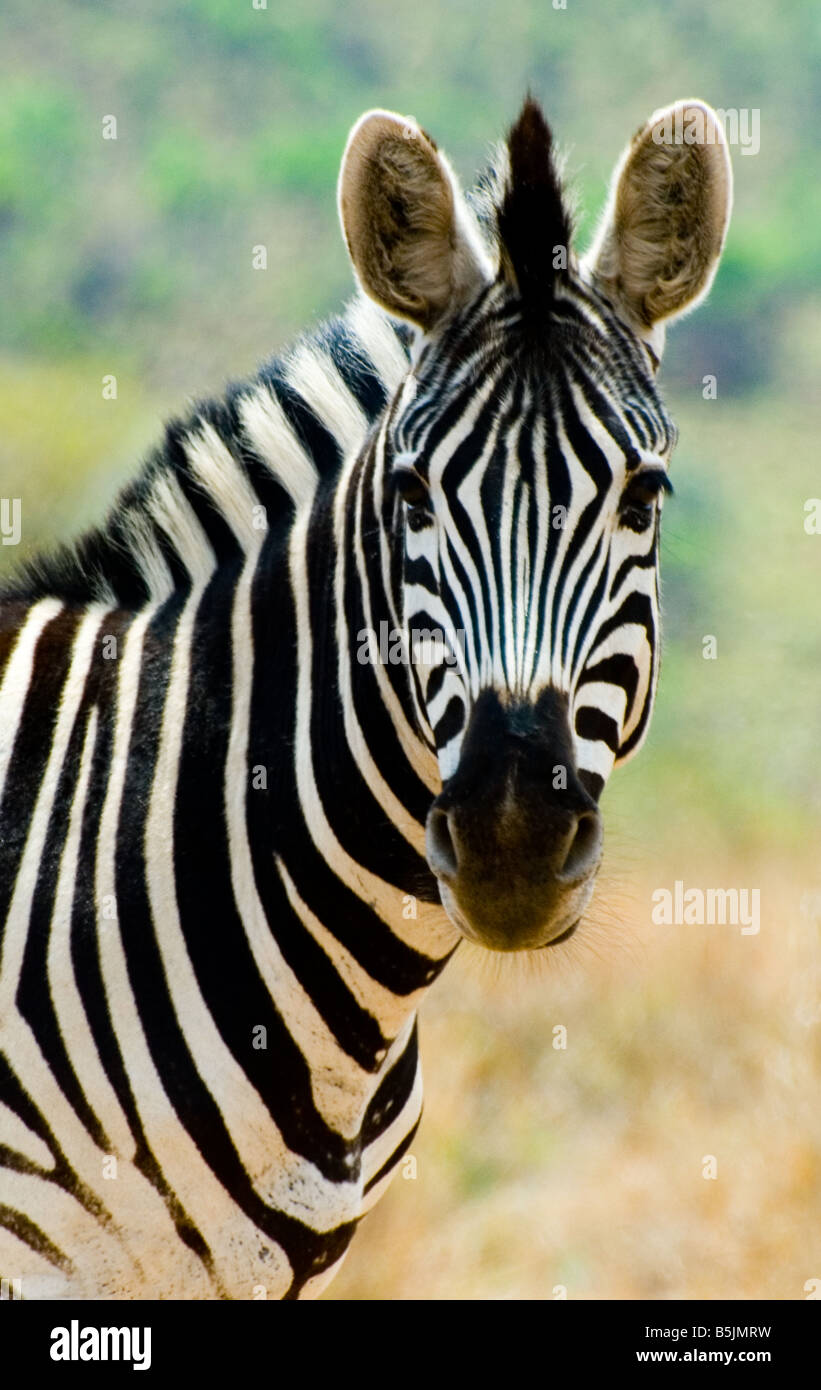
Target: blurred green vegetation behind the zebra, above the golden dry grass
{"points": [[134, 256]]}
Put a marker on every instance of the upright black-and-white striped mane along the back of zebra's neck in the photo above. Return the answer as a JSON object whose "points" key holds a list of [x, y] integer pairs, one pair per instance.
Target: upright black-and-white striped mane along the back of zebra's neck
{"points": [[252, 458]]}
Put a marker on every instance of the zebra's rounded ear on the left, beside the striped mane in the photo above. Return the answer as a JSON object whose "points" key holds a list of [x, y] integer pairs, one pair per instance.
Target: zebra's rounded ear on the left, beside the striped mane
{"points": [[413, 241]]}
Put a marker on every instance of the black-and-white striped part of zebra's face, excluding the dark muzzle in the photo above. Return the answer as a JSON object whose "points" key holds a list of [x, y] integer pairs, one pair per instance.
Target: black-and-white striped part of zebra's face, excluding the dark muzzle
{"points": [[530, 482]]}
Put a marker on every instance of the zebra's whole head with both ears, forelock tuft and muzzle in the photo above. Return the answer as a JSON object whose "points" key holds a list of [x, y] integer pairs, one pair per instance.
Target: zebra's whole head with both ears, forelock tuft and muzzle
{"points": [[523, 465]]}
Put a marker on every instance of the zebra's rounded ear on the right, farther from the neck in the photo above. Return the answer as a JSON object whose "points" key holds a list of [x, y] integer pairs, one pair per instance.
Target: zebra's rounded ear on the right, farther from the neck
{"points": [[663, 229]]}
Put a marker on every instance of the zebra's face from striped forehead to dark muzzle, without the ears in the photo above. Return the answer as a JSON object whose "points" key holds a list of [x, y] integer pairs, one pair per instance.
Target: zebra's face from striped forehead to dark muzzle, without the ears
{"points": [[529, 475]]}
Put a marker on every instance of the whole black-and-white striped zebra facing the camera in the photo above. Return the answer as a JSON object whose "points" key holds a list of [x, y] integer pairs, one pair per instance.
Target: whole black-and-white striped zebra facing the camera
{"points": [[238, 842]]}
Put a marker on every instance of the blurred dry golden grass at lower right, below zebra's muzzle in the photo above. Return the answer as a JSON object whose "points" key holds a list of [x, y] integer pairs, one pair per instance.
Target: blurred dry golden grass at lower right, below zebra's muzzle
{"points": [[584, 1168]]}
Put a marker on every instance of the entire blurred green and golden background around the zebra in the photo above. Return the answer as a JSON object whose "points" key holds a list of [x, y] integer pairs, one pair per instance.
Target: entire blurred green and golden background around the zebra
{"points": [[541, 1171]]}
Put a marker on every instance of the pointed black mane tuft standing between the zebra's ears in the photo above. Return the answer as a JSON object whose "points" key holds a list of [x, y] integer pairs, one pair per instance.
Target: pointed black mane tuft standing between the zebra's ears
{"points": [[533, 218]]}
